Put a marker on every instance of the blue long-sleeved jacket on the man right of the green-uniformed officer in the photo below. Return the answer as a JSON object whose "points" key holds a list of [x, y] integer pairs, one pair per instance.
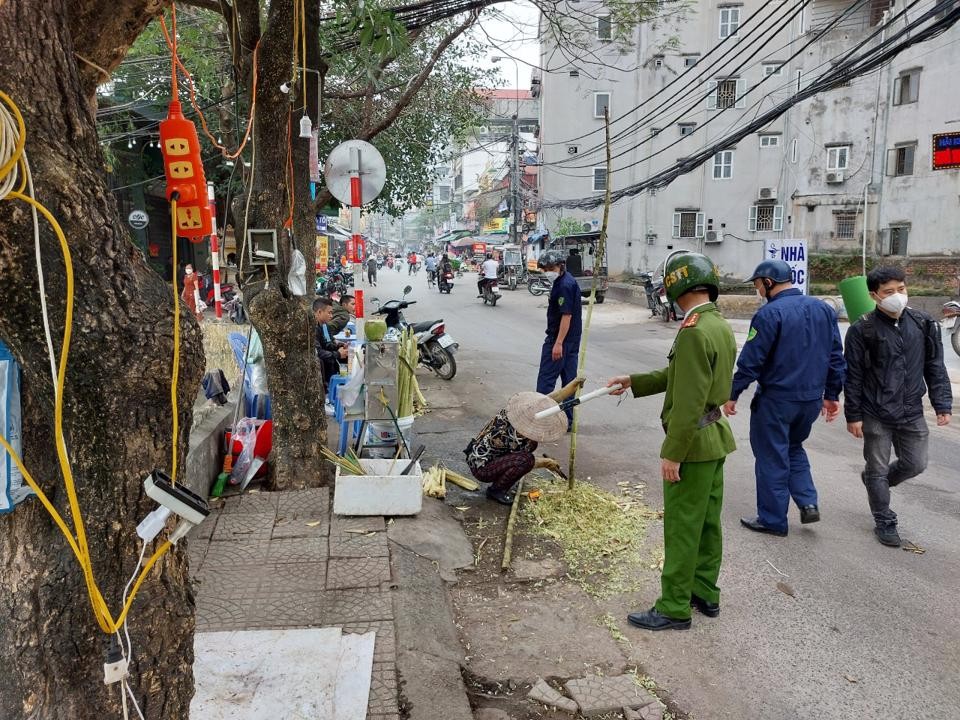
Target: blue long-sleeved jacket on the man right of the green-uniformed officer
{"points": [[793, 351]]}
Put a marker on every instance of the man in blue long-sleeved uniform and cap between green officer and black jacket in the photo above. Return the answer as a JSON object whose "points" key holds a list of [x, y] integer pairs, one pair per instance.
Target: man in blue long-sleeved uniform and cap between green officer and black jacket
{"points": [[793, 352]]}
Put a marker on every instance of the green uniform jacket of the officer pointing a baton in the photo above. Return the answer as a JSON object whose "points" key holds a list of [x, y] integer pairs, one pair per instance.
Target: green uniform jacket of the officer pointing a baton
{"points": [[696, 381]]}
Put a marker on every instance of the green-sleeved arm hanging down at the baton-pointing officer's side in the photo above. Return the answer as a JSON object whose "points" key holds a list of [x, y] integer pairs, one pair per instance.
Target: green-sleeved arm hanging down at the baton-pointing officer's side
{"points": [[695, 377]]}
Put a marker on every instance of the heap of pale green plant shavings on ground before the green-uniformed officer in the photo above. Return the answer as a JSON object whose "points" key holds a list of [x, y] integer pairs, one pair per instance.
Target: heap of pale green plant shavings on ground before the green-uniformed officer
{"points": [[600, 534]]}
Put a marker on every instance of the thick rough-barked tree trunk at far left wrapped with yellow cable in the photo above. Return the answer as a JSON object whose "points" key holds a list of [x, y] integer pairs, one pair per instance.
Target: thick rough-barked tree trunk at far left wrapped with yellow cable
{"points": [[117, 419]]}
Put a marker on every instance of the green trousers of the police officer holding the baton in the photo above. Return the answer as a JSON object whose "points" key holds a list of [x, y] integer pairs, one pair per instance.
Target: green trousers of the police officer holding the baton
{"points": [[692, 539]]}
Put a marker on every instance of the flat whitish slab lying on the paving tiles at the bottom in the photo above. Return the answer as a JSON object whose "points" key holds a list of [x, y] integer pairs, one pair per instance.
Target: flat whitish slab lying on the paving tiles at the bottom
{"points": [[238, 674]]}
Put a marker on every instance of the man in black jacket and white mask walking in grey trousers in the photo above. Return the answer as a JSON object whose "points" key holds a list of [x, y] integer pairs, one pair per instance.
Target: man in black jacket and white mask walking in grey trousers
{"points": [[894, 356]]}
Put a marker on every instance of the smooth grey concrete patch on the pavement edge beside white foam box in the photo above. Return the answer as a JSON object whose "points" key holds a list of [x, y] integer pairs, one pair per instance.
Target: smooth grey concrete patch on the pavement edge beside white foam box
{"points": [[436, 535]]}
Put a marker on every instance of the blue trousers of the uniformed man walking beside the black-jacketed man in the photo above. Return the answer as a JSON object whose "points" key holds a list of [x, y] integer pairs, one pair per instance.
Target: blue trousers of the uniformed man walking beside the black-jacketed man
{"points": [[777, 431]]}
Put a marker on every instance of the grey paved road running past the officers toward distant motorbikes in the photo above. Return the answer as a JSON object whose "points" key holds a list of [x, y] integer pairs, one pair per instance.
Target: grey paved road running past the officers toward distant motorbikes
{"points": [[870, 632]]}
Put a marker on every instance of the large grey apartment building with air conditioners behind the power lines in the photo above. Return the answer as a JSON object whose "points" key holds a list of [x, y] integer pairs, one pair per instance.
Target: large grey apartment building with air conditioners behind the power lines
{"points": [[859, 158]]}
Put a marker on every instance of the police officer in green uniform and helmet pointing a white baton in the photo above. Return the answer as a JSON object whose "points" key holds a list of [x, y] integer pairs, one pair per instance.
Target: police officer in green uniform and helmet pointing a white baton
{"points": [[697, 383]]}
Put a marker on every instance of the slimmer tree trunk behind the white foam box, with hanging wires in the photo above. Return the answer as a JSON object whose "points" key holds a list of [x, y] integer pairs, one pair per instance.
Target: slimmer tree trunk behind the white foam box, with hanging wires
{"points": [[283, 320]]}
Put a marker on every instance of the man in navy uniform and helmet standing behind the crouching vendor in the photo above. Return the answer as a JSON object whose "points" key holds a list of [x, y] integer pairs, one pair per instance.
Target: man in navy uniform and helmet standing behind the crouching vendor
{"points": [[558, 358]]}
